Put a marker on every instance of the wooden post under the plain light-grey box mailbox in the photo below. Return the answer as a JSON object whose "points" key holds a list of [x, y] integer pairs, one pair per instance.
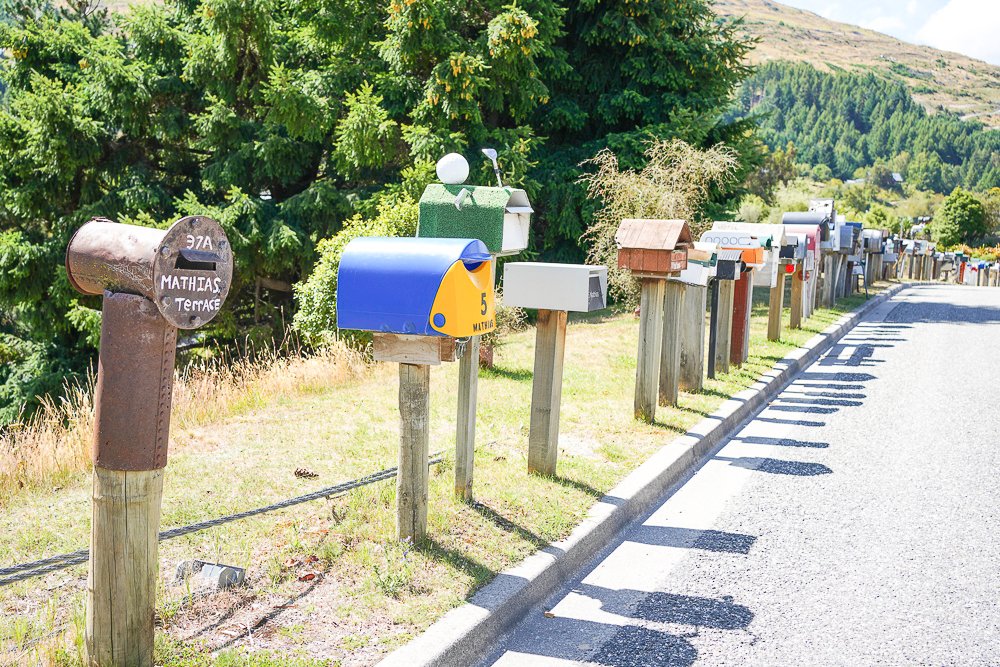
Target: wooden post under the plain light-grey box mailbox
{"points": [[546, 392]]}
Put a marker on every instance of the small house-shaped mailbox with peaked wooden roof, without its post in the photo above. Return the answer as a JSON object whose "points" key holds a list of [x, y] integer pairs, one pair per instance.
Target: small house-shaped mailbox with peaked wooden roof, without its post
{"points": [[653, 248]]}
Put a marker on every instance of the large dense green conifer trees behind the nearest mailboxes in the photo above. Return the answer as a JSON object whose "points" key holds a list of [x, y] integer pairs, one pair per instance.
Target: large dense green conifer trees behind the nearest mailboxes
{"points": [[283, 120]]}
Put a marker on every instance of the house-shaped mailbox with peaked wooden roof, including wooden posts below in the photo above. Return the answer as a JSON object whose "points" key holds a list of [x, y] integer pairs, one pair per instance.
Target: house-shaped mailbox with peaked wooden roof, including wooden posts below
{"points": [[654, 250]]}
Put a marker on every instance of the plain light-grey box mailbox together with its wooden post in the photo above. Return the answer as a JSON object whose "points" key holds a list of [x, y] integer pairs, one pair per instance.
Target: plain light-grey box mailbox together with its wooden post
{"points": [[553, 290]]}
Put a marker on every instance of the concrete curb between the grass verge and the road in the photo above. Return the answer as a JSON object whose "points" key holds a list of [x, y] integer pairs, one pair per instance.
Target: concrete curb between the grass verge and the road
{"points": [[466, 634]]}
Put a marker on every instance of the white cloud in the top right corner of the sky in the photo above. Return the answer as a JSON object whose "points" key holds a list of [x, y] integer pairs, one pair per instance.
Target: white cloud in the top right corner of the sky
{"points": [[965, 26]]}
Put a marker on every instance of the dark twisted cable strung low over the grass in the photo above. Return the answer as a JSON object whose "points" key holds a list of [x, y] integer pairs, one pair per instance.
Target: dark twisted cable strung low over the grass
{"points": [[23, 571]]}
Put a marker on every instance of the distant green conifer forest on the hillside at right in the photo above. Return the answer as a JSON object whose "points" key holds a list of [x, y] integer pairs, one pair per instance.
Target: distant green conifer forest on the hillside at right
{"points": [[854, 121]]}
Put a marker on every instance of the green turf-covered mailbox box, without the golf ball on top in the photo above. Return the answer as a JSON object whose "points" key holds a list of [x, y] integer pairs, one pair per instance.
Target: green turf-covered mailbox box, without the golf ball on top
{"points": [[499, 217]]}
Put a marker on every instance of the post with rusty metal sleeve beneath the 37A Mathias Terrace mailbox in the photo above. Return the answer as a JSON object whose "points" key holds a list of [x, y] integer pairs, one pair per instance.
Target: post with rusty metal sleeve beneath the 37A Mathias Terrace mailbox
{"points": [[131, 431]]}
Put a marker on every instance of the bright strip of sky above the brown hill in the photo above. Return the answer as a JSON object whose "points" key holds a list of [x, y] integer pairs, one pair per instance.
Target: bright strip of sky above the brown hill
{"points": [[970, 27]]}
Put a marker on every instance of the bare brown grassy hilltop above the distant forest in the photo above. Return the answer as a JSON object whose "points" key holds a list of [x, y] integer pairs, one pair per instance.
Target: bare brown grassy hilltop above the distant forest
{"points": [[938, 79]]}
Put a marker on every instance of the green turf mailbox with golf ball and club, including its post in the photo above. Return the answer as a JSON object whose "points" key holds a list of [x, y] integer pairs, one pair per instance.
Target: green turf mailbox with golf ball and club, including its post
{"points": [[500, 217]]}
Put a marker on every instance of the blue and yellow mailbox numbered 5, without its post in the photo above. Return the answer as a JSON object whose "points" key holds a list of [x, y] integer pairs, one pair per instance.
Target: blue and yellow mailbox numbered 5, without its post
{"points": [[416, 286]]}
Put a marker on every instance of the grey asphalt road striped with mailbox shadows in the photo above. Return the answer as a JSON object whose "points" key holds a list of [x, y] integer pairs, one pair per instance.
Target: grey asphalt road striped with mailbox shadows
{"points": [[854, 521]]}
